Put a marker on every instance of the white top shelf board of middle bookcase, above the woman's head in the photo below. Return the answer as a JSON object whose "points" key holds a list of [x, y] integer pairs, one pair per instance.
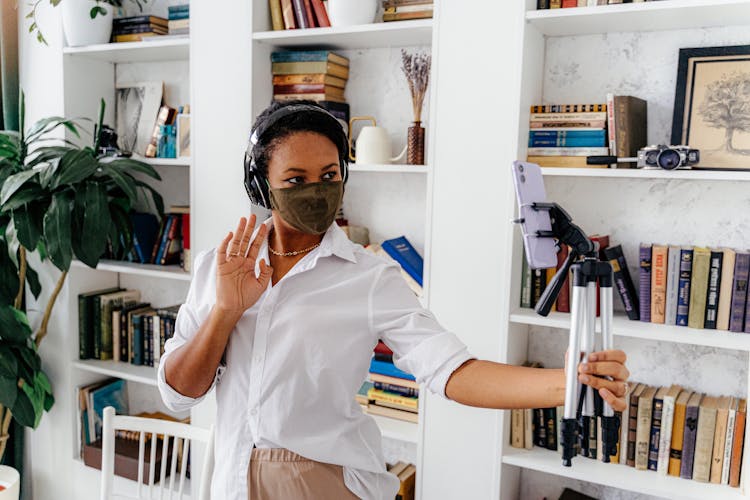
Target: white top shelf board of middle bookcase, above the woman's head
{"points": [[391, 34]]}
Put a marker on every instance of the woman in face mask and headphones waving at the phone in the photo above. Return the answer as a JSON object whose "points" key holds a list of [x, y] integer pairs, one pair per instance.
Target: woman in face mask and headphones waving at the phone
{"points": [[291, 341]]}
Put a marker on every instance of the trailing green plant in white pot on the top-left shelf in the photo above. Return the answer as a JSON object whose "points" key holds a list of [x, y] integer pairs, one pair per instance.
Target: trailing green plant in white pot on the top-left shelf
{"points": [[85, 22]]}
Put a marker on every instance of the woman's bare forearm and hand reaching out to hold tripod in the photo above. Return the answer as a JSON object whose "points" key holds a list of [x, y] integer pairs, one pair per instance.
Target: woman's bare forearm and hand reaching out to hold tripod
{"points": [[487, 384]]}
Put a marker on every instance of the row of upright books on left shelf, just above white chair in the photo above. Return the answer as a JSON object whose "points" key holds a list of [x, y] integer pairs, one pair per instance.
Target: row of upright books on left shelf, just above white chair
{"points": [[113, 324]]}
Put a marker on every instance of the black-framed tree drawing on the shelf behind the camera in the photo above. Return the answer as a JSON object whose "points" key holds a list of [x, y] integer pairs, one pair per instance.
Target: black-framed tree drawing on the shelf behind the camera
{"points": [[712, 105]]}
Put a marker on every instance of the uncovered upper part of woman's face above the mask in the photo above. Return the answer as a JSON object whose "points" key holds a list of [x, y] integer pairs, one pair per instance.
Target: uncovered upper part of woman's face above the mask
{"points": [[301, 158]]}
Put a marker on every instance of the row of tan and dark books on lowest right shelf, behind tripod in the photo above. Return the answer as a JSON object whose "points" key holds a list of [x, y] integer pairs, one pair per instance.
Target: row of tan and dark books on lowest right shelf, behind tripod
{"points": [[670, 430]]}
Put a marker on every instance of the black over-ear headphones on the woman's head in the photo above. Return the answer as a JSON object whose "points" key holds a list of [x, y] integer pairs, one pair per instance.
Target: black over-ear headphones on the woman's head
{"points": [[256, 184]]}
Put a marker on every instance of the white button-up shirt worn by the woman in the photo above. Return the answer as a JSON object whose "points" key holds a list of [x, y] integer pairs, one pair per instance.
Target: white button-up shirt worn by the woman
{"points": [[296, 359]]}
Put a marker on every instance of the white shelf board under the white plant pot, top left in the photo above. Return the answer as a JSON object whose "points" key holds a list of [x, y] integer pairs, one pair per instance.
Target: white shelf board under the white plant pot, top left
{"points": [[166, 49]]}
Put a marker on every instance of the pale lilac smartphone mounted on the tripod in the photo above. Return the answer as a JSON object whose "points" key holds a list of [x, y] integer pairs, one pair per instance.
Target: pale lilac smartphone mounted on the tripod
{"points": [[541, 252]]}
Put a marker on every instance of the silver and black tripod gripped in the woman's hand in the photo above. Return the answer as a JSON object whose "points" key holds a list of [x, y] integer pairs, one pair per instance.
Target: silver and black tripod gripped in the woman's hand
{"points": [[582, 403]]}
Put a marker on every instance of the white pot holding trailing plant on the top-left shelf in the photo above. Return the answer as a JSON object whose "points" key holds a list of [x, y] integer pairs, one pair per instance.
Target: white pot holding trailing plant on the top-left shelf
{"points": [[78, 26]]}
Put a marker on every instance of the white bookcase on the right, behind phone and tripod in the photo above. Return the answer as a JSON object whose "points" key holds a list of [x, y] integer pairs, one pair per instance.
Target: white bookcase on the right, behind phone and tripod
{"points": [[563, 56]]}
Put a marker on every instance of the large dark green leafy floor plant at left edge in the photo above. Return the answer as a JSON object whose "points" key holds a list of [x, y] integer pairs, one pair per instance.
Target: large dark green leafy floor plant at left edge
{"points": [[63, 202]]}
